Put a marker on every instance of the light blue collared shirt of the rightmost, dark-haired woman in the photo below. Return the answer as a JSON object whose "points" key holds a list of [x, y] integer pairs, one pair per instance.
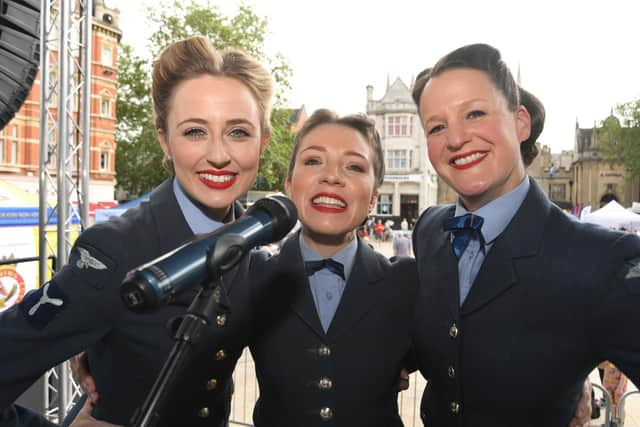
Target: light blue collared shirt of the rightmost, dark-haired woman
{"points": [[497, 214]]}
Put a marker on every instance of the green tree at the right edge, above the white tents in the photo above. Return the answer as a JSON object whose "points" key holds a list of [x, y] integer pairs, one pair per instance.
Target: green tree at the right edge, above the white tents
{"points": [[620, 138]]}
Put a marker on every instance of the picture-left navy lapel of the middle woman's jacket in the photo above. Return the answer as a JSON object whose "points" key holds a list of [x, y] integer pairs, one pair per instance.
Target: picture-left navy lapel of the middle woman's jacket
{"points": [[290, 263]]}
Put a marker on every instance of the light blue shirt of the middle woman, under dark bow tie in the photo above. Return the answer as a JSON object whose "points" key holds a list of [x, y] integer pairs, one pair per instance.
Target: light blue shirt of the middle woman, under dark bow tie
{"points": [[326, 287]]}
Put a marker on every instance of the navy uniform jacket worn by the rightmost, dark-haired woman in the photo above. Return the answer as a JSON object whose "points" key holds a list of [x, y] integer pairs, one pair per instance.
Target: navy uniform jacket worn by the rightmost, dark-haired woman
{"points": [[553, 298]]}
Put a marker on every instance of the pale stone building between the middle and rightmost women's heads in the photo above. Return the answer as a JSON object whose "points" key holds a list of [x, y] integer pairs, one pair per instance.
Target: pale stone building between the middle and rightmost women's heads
{"points": [[410, 183]]}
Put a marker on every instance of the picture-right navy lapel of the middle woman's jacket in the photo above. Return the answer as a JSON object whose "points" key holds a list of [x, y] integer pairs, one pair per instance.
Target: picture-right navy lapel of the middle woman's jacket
{"points": [[361, 292]]}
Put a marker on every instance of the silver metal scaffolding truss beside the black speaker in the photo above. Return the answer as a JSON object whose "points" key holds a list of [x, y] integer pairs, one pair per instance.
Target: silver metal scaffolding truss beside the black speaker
{"points": [[65, 106]]}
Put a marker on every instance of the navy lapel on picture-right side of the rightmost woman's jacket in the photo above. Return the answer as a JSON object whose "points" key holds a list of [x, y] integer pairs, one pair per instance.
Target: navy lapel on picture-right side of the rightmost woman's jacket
{"points": [[521, 238]]}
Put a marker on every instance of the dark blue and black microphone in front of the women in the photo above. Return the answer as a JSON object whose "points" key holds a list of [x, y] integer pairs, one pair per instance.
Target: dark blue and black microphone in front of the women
{"points": [[207, 255]]}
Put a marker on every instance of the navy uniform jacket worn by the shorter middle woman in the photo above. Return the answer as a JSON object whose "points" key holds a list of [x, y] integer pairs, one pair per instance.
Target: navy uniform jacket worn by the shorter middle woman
{"points": [[345, 377]]}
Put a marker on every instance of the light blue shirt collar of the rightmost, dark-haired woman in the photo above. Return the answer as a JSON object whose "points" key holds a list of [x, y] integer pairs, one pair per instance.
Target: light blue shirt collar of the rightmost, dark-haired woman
{"points": [[498, 213]]}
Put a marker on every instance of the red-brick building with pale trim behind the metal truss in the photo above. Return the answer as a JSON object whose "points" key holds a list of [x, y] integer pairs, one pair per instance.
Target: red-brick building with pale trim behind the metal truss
{"points": [[20, 138]]}
